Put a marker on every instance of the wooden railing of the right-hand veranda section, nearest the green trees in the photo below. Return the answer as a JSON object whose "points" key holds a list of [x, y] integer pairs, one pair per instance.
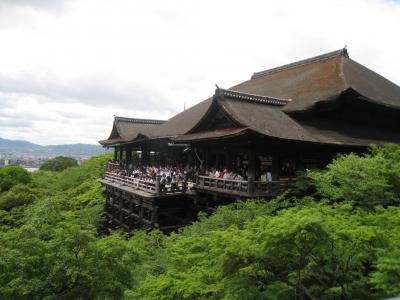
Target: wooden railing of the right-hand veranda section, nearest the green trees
{"points": [[242, 187]]}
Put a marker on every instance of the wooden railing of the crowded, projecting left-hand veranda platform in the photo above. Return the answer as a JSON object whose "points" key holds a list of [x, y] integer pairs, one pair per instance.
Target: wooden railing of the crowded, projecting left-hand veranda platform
{"points": [[153, 187]]}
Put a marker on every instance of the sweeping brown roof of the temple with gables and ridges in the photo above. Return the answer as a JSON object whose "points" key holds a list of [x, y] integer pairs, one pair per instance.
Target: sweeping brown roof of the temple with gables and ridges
{"points": [[267, 102]]}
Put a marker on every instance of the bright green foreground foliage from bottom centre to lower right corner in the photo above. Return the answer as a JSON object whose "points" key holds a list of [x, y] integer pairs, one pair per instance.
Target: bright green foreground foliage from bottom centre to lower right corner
{"points": [[309, 252]]}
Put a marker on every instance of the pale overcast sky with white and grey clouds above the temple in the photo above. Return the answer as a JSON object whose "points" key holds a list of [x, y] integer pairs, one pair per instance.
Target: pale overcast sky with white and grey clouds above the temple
{"points": [[68, 66]]}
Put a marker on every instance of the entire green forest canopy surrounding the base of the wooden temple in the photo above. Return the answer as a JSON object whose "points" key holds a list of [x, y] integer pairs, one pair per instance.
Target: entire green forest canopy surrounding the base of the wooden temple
{"points": [[334, 235]]}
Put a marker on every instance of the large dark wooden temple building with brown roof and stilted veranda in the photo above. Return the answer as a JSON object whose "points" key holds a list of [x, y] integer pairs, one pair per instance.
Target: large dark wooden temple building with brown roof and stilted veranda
{"points": [[281, 121]]}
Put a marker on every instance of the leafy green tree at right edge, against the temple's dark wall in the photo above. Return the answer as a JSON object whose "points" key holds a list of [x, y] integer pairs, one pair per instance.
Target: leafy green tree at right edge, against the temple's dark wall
{"points": [[364, 181]]}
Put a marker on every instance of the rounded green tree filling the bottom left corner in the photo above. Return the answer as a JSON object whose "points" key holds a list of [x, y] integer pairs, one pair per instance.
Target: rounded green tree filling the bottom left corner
{"points": [[71, 263]]}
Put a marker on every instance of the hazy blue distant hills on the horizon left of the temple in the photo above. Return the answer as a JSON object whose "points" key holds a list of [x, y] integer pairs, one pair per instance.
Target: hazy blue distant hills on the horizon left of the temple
{"points": [[20, 147]]}
